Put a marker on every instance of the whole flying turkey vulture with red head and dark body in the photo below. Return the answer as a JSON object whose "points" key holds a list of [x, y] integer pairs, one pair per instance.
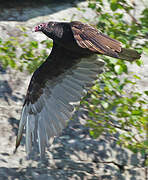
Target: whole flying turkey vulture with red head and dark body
{"points": [[61, 81]]}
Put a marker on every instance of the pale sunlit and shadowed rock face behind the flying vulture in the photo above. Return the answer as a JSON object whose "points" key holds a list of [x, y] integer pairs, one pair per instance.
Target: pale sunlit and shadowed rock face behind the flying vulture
{"points": [[73, 155]]}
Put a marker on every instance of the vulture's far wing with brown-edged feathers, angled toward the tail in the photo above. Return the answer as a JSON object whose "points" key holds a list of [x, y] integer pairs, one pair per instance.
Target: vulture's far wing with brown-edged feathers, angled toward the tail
{"points": [[88, 37]]}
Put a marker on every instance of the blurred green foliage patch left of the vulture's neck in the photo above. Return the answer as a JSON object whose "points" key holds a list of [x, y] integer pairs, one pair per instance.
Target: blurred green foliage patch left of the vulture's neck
{"points": [[29, 57]]}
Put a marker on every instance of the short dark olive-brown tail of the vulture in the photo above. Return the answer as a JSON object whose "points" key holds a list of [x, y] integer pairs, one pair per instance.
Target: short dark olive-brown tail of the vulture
{"points": [[129, 54]]}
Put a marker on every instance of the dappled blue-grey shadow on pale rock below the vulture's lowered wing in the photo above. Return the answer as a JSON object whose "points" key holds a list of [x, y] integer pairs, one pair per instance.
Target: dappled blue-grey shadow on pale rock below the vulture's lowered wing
{"points": [[75, 155]]}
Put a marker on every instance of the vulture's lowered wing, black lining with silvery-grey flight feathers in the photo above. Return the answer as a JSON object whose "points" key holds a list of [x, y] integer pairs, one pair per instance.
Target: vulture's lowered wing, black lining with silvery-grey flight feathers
{"points": [[56, 86]]}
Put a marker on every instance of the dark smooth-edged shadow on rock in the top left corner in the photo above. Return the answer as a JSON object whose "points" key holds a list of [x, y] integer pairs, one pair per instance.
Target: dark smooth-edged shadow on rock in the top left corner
{"points": [[17, 10]]}
